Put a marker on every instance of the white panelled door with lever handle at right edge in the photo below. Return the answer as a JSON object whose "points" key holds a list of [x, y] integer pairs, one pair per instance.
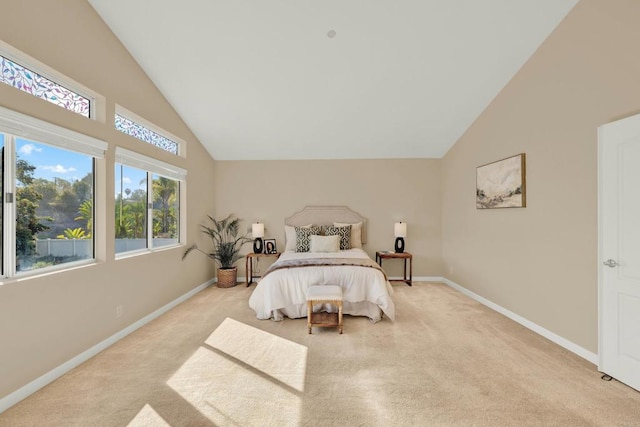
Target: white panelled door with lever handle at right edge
{"points": [[619, 250]]}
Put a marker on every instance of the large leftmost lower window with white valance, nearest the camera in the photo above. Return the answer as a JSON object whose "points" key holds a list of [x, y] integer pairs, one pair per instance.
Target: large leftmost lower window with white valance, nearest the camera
{"points": [[48, 193]]}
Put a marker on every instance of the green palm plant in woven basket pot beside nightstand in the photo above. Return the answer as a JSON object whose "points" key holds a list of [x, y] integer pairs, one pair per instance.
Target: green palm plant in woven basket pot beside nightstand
{"points": [[226, 243]]}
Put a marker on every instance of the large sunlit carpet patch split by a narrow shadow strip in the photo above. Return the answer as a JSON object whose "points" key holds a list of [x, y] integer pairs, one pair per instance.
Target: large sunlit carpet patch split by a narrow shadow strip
{"points": [[257, 380]]}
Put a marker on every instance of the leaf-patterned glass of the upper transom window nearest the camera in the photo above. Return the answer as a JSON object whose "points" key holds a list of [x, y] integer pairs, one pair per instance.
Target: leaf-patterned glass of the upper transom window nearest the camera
{"points": [[29, 81]]}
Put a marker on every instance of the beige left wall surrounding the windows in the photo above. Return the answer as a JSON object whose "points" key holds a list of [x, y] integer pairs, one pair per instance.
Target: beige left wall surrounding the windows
{"points": [[47, 320]]}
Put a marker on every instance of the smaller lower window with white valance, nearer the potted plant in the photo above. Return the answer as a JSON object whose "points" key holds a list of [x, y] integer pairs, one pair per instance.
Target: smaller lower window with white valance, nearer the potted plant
{"points": [[147, 202]]}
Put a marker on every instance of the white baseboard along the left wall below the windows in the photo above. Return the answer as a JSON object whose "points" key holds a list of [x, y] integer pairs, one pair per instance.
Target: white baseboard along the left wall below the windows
{"points": [[35, 385]]}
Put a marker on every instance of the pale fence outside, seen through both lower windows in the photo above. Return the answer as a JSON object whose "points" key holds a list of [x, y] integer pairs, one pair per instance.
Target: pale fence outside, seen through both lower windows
{"points": [[83, 248]]}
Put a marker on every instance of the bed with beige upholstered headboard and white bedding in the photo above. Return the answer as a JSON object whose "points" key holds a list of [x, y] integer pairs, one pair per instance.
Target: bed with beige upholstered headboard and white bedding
{"points": [[283, 288]]}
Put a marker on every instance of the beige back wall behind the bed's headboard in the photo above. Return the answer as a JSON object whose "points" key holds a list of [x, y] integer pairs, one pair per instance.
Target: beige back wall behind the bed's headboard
{"points": [[383, 191]]}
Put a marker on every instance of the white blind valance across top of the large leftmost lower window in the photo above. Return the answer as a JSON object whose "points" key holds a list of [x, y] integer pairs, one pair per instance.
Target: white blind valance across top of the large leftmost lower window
{"points": [[25, 126]]}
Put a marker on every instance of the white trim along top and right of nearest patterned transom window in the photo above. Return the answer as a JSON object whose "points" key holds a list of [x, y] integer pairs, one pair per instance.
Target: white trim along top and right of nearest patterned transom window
{"points": [[96, 101]]}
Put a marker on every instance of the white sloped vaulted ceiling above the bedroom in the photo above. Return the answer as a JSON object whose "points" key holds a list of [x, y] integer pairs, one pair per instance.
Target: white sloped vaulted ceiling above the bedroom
{"points": [[257, 79]]}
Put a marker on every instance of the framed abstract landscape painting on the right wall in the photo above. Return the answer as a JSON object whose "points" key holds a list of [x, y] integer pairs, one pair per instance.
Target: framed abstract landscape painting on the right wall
{"points": [[501, 184]]}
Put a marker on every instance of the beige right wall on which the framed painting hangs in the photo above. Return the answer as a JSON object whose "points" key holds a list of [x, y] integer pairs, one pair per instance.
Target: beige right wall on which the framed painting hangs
{"points": [[541, 262]]}
